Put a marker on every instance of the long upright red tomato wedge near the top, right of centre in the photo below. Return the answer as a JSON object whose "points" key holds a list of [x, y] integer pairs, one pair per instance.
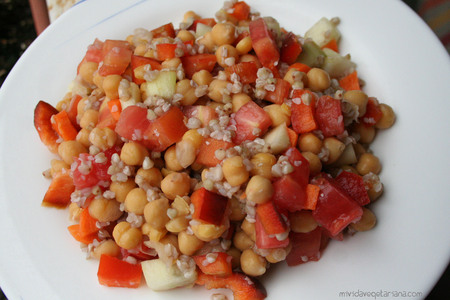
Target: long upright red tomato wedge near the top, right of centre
{"points": [[264, 44]]}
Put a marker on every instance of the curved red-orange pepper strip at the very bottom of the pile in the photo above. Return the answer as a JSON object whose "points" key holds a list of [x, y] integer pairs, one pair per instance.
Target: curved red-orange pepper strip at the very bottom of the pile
{"points": [[242, 286]]}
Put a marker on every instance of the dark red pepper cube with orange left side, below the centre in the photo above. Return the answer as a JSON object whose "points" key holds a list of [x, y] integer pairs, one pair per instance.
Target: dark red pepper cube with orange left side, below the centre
{"points": [[209, 207]]}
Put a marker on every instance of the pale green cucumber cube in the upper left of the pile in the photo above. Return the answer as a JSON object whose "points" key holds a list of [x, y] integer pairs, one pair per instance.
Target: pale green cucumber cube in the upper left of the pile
{"points": [[162, 86]]}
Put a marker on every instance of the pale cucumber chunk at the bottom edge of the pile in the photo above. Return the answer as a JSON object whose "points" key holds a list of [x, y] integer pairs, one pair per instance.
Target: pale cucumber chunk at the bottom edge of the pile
{"points": [[159, 277]]}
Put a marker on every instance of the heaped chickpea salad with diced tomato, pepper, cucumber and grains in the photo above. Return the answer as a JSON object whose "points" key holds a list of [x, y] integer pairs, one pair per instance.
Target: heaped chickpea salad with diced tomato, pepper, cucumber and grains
{"points": [[201, 155]]}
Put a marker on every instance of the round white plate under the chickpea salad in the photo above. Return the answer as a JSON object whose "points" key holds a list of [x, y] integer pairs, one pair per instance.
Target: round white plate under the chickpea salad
{"points": [[403, 64]]}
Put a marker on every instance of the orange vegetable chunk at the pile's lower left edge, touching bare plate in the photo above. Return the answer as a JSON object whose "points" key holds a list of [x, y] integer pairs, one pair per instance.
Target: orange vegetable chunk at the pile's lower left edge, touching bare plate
{"points": [[59, 191]]}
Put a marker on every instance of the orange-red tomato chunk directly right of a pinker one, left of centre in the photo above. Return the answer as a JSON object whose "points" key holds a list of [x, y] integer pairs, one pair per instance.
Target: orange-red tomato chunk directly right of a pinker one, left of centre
{"points": [[166, 130]]}
